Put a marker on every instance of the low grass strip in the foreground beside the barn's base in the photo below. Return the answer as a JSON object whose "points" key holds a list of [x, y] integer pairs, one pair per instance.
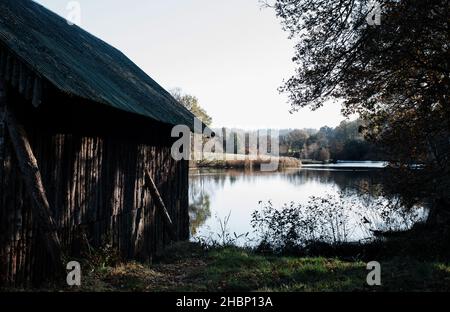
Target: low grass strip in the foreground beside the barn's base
{"points": [[189, 267]]}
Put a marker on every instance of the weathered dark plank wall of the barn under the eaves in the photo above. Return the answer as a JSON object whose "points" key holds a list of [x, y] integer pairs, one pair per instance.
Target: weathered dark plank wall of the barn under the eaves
{"points": [[95, 187]]}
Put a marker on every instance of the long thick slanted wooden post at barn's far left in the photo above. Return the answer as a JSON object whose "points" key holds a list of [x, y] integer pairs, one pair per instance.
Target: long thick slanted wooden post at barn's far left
{"points": [[33, 182]]}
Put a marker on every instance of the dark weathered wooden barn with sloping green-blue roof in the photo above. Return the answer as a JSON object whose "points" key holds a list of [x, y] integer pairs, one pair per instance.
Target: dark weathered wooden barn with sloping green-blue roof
{"points": [[85, 149]]}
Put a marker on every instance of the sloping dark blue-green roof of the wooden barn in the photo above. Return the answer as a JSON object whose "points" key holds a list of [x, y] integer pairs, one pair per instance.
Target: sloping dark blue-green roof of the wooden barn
{"points": [[82, 65]]}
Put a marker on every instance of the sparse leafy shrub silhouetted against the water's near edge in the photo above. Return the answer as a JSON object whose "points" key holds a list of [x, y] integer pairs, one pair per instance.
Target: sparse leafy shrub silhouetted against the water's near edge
{"points": [[331, 220]]}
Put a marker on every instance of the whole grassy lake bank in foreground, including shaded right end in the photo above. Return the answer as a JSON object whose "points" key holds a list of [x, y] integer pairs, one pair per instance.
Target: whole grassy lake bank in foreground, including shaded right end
{"points": [[415, 260]]}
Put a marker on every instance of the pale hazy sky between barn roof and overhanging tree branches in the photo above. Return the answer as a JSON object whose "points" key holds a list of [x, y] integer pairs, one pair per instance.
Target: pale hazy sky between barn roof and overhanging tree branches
{"points": [[232, 55]]}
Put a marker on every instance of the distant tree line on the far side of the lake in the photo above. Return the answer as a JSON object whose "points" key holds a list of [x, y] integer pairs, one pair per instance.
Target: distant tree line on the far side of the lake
{"points": [[344, 142]]}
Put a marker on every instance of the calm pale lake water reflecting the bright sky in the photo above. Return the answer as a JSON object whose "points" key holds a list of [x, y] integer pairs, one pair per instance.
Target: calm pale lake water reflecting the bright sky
{"points": [[216, 194]]}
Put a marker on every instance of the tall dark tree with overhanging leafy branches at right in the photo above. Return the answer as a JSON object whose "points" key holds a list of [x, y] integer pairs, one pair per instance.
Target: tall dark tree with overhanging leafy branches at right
{"points": [[395, 75]]}
